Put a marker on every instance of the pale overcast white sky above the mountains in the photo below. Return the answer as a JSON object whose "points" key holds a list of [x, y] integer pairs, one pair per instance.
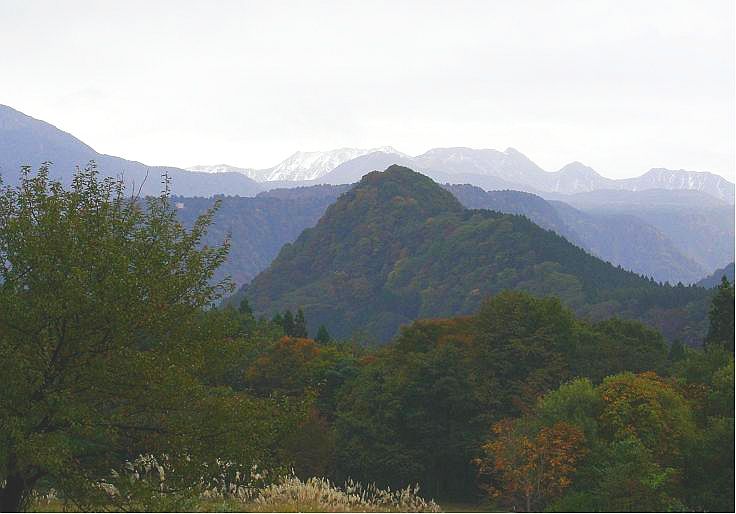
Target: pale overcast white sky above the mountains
{"points": [[622, 86]]}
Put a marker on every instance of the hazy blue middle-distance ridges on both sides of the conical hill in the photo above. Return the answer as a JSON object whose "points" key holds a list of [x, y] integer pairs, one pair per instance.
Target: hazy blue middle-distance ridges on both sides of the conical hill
{"points": [[258, 227]]}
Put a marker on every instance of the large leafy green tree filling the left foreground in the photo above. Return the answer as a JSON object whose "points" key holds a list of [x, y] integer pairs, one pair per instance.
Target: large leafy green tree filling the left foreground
{"points": [[104, 337]]}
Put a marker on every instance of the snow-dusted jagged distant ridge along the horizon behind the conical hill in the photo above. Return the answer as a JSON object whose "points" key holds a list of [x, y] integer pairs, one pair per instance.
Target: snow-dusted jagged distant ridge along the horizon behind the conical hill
{"points": [[487, 168]]}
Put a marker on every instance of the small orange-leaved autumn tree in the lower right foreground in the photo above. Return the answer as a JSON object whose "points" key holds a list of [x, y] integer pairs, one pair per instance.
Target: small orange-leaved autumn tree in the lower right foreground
{"points": [[526, 469]]}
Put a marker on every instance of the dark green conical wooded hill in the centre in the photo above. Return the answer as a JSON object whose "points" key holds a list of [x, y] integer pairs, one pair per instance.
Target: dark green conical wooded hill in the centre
{"points": [[398, 247]]}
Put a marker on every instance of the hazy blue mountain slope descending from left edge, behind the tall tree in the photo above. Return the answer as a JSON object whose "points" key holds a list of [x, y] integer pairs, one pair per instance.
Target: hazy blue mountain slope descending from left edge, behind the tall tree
{"points": [[28, 141]]}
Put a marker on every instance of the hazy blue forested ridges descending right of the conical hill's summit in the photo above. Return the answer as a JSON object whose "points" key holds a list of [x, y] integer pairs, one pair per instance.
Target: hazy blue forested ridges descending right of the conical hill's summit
{"points": [[660, 234]]}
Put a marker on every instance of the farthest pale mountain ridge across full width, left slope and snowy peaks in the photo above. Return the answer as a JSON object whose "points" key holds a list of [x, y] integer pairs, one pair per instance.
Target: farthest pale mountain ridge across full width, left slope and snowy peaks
{"points": [[28, 141]]}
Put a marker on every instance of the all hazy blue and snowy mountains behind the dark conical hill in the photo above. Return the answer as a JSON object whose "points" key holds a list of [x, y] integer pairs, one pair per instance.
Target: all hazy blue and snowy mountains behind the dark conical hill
{"points": [[668, 234]]}
